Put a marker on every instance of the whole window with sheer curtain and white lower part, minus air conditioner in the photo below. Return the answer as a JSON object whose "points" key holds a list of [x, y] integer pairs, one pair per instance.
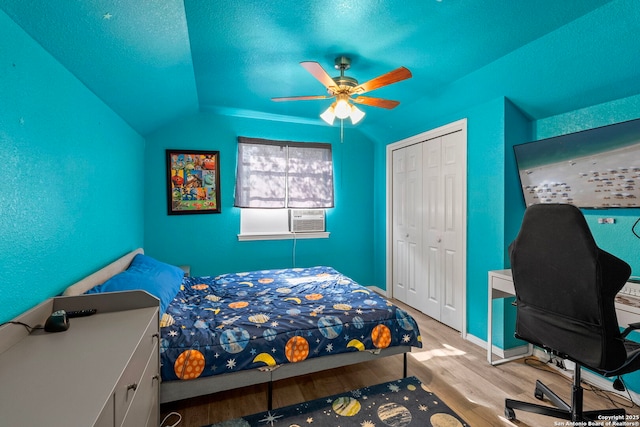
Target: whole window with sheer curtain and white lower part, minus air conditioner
{"points": [[273, 176]]}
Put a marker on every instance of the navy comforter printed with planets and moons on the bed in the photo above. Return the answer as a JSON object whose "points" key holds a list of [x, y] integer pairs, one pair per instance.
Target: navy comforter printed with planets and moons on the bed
{"points": [[262, 319]]}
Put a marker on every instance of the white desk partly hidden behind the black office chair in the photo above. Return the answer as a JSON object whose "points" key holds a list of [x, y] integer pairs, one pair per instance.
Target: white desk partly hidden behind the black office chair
{"points": [[501, 286]]}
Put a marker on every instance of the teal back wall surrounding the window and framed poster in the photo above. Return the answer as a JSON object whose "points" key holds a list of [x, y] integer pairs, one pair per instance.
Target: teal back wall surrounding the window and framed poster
{"points": [[209, 242]]}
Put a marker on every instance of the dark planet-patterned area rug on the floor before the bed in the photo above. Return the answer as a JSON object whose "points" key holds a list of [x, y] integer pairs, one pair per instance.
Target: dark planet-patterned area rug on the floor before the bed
{"points": [[399, 403]]}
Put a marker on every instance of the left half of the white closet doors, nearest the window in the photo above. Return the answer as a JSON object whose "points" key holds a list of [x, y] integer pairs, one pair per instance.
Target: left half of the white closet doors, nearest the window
{"points": [[407, 223]]}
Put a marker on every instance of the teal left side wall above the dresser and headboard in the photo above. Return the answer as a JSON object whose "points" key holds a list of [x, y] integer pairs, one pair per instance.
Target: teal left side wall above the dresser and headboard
{"points": [[71, 188]]}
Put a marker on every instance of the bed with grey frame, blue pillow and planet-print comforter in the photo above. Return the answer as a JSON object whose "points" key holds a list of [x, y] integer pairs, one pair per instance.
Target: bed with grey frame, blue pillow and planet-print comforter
{"points": [[239, 329]]}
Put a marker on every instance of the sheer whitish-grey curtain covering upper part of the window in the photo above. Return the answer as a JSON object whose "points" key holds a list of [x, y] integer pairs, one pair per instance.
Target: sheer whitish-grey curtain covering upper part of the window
{"points": [[283, 174]]}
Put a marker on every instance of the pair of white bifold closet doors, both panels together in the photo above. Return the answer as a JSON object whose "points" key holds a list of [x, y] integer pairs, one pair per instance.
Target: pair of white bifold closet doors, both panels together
{"points": [[426, 212]]}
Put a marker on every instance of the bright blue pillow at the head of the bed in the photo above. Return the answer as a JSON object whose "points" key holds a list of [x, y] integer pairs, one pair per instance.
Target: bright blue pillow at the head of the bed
{"points": [[148, 274]]}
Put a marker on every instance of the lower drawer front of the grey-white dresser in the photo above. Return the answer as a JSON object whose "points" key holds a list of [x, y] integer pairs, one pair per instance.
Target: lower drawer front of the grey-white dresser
{"points": [[144, 409]]}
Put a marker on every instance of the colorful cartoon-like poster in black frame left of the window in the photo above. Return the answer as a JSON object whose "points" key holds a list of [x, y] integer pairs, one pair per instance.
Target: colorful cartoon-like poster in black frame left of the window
{"points": [[193, 181]]}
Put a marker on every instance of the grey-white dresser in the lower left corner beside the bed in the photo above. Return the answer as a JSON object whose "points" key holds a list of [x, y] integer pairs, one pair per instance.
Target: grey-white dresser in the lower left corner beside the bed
{"points": [[102, 371]]}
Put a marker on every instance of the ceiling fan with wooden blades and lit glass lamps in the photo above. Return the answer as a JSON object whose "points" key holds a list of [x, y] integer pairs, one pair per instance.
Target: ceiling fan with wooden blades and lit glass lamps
{"points": [[344, 89]]}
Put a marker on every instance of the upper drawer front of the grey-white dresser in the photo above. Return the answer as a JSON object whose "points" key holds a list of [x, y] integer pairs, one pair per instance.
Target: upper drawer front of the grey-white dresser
{"points": [[132, 377]]}
